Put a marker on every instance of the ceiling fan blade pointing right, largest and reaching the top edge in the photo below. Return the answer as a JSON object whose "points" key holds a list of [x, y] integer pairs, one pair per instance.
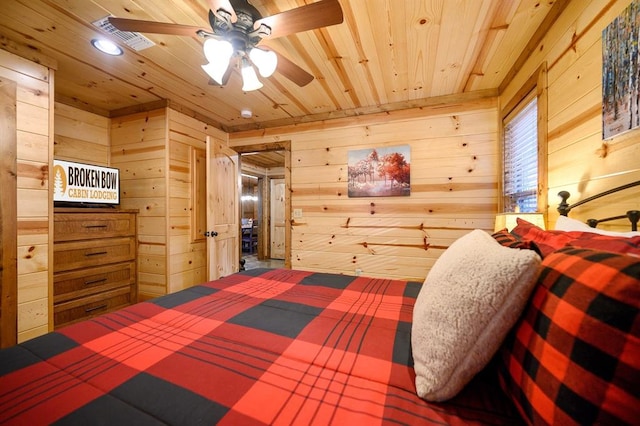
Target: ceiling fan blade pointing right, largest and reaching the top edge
{"points": [[309, 17]]}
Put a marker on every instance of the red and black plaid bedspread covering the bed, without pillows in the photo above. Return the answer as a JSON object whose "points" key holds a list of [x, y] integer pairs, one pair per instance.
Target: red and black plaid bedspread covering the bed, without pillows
{"points": [[259, 347]]}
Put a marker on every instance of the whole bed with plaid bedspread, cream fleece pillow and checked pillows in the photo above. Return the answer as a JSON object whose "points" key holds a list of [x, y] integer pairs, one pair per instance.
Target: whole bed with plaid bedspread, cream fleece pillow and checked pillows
{"points": [[278, 346]]}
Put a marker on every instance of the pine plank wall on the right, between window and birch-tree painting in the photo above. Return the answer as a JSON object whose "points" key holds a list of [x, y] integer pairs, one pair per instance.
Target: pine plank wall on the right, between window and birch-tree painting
{"points": [[579, 161]]}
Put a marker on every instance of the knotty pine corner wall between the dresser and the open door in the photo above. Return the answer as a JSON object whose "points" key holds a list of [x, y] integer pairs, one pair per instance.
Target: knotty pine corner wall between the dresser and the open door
{"points": [[152, 150]]}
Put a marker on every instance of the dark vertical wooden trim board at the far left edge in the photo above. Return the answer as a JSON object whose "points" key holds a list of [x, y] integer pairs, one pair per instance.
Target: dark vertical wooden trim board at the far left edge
{"points": [[8, 215]]}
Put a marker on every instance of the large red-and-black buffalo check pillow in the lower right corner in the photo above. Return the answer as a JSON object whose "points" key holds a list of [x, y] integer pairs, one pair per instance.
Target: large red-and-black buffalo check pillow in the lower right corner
{"points": [[574, 356]]}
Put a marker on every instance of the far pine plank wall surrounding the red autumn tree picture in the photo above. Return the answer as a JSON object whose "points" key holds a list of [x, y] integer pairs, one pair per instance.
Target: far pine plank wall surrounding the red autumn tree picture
{"points": [[453, 188]]}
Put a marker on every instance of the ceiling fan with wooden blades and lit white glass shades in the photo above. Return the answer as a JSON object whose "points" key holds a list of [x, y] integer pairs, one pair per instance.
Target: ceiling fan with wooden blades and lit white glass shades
{"points": [[236, 30]]}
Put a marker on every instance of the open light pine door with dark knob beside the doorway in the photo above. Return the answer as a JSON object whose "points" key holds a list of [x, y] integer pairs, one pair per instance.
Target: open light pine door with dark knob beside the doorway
{"points": [[222, 210]]}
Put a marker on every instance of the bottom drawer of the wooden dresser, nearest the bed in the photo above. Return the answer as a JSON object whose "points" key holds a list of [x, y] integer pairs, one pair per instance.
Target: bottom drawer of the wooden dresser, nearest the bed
{"points": [[91, 306]]}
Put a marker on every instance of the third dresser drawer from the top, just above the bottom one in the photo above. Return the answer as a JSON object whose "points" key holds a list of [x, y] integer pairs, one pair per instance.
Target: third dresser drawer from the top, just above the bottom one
{"points": [[87, 281]]}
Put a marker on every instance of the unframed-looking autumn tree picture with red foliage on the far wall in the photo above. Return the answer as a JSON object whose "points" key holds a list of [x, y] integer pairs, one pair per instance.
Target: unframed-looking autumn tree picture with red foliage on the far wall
{"points": [[380, 172]]}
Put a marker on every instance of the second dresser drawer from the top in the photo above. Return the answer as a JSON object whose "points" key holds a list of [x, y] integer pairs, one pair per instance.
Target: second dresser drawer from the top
{"points": [[81, 254]]}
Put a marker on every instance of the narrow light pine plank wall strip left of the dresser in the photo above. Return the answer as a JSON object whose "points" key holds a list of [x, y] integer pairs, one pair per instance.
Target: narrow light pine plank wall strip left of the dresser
{"points": [[34, 123]]}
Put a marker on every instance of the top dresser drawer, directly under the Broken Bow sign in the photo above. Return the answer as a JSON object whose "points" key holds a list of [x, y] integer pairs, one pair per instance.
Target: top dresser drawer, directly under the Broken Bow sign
{"points": [[77, 226]]}
